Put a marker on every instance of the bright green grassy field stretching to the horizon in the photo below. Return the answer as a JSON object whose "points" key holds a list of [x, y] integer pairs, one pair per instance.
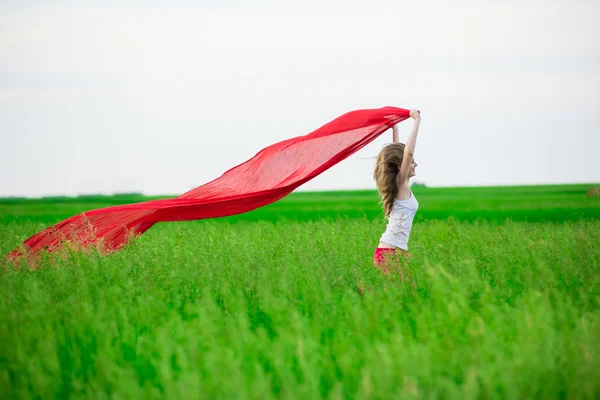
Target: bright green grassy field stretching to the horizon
{"points": [[500, 300]]}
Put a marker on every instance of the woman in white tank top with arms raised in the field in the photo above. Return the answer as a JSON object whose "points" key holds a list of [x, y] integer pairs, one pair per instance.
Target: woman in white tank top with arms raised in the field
{"points": [[394, 167]]}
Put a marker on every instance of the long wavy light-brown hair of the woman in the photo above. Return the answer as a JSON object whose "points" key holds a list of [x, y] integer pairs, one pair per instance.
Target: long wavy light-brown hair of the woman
{"points": [[387, 167]]}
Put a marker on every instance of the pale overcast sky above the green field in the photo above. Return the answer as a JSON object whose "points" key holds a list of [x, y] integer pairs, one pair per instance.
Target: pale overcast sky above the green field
{"points": [[160, 98]]}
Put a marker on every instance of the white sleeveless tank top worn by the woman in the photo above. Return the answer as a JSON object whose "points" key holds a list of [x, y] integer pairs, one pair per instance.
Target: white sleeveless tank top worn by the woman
{"points": [[400, 222]]}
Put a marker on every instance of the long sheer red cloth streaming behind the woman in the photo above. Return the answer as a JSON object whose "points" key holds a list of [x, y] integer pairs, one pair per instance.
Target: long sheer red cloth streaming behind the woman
{"points": [[271, 174]]}
